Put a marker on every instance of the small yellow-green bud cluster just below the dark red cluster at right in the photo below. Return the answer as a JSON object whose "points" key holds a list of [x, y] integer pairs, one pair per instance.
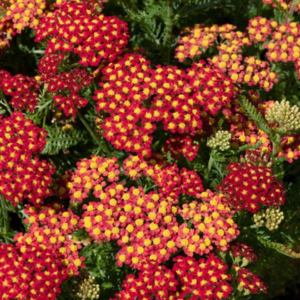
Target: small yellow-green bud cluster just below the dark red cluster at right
{"points": [[270, 218]]}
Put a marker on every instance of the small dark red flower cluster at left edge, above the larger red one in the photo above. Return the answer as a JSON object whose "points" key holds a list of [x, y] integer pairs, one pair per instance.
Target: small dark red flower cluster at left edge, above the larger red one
{"points": [[22, 89]]}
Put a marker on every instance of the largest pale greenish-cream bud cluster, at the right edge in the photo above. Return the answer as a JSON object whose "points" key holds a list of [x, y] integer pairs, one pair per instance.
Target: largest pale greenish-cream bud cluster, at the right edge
{"points": [[287, 117]]}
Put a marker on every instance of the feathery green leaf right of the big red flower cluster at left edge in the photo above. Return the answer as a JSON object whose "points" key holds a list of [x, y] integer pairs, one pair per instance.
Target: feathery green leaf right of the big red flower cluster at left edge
{"points": [[58, 140]]}
